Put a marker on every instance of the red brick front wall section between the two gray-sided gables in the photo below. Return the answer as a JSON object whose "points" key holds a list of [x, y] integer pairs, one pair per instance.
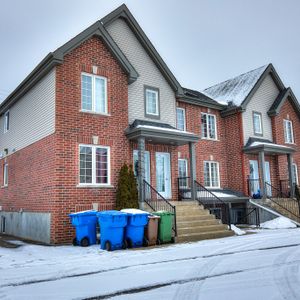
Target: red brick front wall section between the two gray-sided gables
{"points": [[206, 149]]}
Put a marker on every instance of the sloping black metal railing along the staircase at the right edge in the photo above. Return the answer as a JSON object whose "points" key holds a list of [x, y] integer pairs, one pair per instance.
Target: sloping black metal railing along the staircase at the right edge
{"points": [[284, 201]]}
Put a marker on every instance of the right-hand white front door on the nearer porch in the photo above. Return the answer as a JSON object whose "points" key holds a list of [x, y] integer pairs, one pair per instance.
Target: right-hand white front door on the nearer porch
{"points": [[163, 174]]}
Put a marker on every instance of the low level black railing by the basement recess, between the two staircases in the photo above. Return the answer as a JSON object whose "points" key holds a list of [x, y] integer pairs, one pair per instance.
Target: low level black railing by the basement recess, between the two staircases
{"points": [[247, 216]]}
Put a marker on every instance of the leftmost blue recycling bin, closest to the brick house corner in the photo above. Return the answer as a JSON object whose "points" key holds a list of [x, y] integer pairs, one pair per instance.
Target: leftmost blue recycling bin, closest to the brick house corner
{"points": [[85, 224]]}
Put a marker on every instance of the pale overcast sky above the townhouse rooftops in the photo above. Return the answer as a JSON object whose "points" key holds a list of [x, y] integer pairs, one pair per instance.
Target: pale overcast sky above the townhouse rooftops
{"points": [[202, 41]]}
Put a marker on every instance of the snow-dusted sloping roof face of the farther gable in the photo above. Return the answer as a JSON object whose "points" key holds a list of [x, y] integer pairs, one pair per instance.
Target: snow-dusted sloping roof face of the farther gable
{"points": [[235, 90]]}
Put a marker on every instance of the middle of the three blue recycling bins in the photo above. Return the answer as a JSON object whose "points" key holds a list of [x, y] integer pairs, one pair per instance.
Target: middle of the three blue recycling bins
{"points": [[112, 224]]}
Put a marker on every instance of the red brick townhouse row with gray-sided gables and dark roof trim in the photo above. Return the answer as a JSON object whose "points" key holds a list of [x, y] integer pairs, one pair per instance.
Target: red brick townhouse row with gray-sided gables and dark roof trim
{"points": [[106, 98]]}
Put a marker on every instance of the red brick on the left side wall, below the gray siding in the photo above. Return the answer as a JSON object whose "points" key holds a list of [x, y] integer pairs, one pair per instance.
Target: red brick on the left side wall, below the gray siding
{"points": [[31, 178]]}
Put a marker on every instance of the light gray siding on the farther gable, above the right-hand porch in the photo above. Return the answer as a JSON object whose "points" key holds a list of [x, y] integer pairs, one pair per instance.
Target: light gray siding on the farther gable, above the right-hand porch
{"points": [[260, 102]]}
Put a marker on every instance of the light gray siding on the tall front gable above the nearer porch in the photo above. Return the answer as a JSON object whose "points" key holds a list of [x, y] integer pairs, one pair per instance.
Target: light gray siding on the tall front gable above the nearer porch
{"points": [[149, 75]]}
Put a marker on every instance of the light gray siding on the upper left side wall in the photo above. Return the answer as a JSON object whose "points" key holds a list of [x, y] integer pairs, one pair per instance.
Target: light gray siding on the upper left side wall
{"points": [[32, 117]]}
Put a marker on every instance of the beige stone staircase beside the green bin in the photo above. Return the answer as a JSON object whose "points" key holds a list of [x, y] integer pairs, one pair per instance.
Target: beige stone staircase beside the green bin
{"points": [[194, 223]]}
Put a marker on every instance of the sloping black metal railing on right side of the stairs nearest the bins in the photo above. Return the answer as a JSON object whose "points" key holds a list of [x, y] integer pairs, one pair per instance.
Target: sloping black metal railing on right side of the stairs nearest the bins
{"points": [[213, 203]]}
